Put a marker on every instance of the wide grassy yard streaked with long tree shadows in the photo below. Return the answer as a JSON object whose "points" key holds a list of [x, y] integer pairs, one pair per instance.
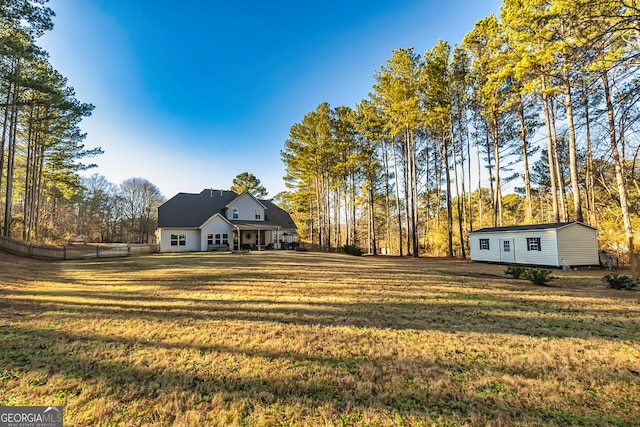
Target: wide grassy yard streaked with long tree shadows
{"points": [[315, 339]]}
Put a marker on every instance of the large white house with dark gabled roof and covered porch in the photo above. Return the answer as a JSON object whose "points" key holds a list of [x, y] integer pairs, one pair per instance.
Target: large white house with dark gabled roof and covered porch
{"points": [[219, 219]]}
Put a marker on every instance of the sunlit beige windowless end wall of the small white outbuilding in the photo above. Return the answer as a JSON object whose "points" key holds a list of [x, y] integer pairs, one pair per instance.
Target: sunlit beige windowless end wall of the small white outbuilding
{"points": [[577, 245]]}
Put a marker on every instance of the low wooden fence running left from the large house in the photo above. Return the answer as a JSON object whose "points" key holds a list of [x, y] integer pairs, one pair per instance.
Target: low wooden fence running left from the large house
{"points": [[74, 252]]}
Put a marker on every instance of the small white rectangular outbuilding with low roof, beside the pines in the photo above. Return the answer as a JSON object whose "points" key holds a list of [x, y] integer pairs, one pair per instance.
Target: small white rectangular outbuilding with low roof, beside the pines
{"points": [[563, 244]]}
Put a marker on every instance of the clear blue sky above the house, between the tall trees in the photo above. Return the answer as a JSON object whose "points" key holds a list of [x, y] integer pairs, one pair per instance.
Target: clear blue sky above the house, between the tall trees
{"points": [[190, 94]]}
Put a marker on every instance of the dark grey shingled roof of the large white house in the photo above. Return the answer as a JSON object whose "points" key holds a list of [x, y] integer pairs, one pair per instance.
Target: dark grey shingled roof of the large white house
{"points": [[188, 210]]}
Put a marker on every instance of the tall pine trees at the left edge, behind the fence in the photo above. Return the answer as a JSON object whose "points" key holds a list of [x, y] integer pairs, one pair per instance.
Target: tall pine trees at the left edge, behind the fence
{"points": [[41, 145]]}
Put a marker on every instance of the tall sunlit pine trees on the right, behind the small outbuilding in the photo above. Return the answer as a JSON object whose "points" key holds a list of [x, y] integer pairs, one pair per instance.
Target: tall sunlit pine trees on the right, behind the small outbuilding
{"points": [[542, 99]]}
